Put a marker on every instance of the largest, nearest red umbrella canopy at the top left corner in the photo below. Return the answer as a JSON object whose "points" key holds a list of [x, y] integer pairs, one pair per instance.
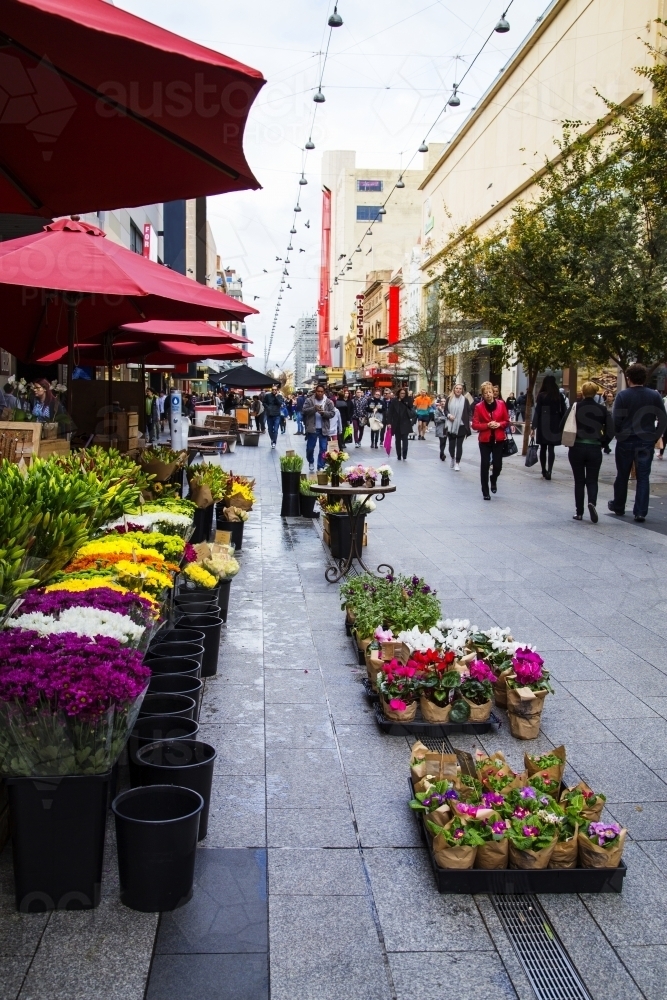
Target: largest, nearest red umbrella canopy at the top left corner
{"points": [[100, 108]]}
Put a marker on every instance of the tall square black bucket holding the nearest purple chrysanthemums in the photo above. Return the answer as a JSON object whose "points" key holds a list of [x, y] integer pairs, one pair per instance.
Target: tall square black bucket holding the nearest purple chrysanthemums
{"points": [[58, 841]]}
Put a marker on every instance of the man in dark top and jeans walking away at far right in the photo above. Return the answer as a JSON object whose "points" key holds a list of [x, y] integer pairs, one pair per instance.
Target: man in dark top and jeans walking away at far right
{"points": [[639, 420]]}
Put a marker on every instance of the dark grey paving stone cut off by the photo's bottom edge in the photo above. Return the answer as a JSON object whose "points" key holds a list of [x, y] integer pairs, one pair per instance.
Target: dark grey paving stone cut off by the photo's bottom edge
{"points": [[209, 977]]}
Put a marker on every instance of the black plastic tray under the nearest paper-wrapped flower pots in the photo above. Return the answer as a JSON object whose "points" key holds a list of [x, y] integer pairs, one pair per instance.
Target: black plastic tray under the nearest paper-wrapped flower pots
{"points": [[512, 881]]}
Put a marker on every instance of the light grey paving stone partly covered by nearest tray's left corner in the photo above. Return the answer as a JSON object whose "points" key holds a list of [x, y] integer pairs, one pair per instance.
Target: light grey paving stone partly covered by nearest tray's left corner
{"points": [[411, 909]]}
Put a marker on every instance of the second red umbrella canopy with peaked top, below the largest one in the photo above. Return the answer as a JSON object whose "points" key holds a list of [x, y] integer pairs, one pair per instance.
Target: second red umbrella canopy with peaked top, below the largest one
{"points": [[71, 265]]}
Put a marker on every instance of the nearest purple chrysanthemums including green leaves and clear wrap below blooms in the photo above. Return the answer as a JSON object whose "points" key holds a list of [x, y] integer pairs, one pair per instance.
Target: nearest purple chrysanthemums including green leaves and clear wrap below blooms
{"points": [[67, 702]]}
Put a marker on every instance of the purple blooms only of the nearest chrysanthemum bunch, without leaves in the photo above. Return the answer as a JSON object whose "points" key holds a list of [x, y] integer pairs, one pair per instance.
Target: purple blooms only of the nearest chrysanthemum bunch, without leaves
{"points": [[76, 674]]}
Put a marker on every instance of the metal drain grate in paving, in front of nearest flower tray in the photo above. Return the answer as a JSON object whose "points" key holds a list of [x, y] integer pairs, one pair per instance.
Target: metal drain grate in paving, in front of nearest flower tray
{"points": [[544, 959]]}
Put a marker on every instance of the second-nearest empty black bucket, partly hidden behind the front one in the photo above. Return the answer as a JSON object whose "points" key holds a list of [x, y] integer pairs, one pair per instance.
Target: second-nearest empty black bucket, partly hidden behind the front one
{"points": [[188, 763]]}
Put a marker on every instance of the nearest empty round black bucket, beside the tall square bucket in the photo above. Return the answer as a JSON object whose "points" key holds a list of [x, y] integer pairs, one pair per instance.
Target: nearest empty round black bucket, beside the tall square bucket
{"points": [[156, 834]]}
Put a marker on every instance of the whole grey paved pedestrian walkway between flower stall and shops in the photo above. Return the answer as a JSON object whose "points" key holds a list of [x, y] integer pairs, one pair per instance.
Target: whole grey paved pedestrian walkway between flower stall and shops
{"points": [[310, 799]]}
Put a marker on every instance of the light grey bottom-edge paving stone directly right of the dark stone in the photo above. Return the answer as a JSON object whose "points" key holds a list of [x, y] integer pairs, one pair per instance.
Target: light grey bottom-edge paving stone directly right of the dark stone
{"points": [[325, 947]]}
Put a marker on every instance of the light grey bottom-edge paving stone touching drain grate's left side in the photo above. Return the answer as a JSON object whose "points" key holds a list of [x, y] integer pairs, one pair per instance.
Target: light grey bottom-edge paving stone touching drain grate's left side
{"points": [[431, 974]]}
